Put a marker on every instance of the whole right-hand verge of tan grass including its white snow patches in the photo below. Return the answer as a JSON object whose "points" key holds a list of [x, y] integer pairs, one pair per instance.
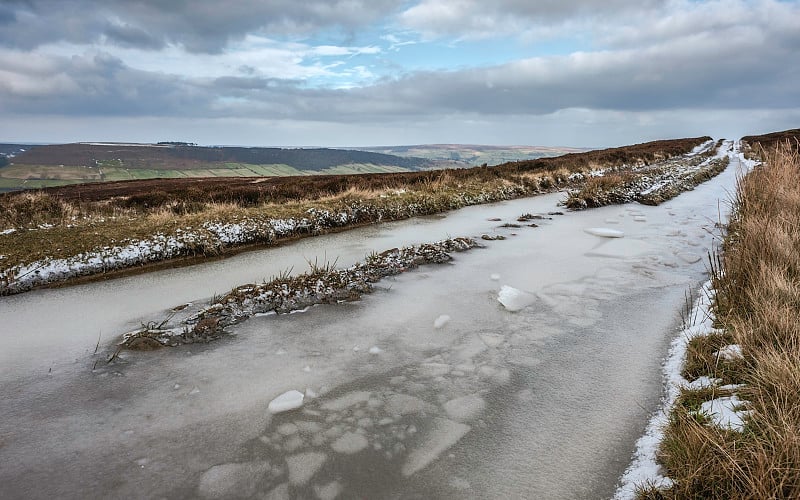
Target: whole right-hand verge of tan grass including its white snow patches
{"points": [[740, 439]]}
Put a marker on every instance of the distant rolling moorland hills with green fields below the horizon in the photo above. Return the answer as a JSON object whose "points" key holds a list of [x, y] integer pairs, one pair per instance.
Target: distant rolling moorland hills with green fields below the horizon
{"points": [[25, 166]]}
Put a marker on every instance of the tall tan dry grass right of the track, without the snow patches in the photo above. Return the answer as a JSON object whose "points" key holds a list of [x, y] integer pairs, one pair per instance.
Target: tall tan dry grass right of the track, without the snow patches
{"points": [[758, 307]]}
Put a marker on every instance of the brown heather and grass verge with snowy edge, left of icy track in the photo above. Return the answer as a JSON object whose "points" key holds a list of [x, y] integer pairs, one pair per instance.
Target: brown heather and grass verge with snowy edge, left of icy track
{"points": [[56, 235]]}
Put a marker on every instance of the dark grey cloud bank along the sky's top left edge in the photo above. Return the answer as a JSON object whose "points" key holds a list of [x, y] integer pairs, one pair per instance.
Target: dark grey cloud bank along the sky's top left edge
{"points": [[200, 25]]}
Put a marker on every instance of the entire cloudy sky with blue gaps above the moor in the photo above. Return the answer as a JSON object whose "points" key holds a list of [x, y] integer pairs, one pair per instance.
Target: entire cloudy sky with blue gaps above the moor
{"points": [[382, 72]]}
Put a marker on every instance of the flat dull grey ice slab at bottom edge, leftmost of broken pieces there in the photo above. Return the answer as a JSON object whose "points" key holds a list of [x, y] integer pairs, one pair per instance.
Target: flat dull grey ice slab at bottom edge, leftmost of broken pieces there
{"points": [[232, 480]]}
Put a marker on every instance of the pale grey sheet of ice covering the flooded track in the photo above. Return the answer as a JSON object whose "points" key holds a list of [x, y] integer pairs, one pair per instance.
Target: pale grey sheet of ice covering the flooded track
{"points": [[71, 431]]}
